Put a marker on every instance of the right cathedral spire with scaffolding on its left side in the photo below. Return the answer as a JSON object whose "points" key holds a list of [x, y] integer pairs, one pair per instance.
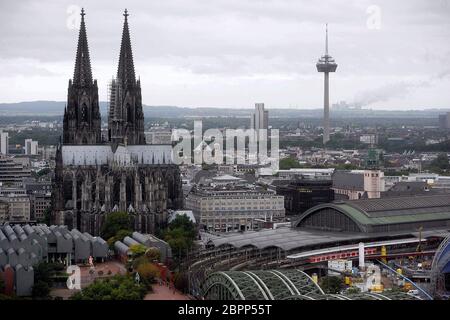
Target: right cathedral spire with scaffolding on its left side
{"points": [[126, 118]]}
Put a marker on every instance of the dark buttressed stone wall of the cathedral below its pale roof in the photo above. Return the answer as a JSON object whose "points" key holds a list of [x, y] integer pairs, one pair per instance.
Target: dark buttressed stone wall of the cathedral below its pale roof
{"points": [[90, 192]]}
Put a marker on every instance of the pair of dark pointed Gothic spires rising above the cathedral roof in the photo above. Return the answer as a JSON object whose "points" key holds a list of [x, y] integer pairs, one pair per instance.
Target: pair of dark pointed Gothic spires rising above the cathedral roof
{"points": [[82, 121]]}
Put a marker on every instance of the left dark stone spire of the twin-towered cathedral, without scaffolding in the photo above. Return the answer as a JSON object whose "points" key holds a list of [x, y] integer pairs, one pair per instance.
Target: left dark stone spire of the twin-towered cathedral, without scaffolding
{"points": [[82, 118]]}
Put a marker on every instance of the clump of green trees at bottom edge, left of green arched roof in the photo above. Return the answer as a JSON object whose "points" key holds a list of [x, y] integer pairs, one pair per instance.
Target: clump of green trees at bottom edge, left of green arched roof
{"points": [[119, 287]]}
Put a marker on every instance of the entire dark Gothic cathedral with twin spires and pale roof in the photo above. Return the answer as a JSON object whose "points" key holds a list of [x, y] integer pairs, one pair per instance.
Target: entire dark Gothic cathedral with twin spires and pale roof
{"points": [[96, 175]]}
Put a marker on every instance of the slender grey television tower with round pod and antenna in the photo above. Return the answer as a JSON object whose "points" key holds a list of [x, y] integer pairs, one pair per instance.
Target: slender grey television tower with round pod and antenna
{"points": [[326, 64]]}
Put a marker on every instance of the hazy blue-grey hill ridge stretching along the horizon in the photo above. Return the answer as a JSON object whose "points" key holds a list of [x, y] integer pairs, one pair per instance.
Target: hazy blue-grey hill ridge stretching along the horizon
{"points": [[56, 108]]}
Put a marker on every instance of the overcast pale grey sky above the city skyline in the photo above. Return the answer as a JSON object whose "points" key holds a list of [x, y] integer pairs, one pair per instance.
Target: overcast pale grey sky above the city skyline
{"points": [[233, 53]]}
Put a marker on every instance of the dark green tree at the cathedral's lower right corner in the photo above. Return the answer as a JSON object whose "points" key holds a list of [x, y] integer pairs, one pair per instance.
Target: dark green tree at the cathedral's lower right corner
{"points": [[180, 235]]}
